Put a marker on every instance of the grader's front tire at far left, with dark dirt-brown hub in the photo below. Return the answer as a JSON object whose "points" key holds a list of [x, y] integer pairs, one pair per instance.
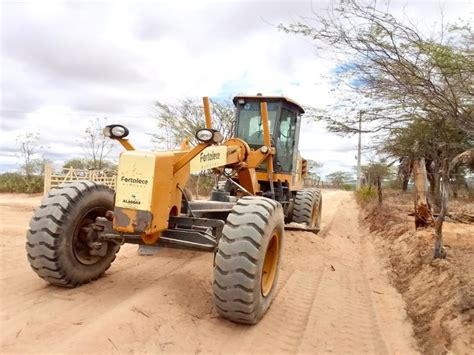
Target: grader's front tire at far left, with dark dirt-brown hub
{"points": [[56, 245]]}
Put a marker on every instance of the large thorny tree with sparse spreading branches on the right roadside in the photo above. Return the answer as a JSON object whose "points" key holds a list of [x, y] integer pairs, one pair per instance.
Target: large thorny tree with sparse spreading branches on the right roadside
{"points": [[410, 90]]}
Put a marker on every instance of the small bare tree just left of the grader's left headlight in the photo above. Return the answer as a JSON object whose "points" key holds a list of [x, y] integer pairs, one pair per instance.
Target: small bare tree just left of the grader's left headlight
{"points": [[96, 146]]}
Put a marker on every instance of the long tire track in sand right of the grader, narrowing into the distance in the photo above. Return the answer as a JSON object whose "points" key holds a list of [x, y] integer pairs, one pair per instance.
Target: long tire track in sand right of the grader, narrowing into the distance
{"points": [[343, 319]]}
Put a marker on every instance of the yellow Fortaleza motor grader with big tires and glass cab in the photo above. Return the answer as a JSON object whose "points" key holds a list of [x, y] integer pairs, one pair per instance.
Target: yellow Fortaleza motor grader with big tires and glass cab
{"points": [[78, 229]]}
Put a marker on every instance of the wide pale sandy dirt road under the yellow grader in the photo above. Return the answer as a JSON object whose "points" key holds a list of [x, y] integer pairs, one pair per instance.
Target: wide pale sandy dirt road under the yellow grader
{"points": [[333, 297]]}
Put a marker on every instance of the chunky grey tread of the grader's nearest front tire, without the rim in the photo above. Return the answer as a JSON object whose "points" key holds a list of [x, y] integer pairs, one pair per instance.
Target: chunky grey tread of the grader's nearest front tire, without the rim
{"points": [[235, 271]]}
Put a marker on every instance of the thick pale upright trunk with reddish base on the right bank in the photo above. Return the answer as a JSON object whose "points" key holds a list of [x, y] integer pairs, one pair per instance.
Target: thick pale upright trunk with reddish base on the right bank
{"points": [[423, 216]]}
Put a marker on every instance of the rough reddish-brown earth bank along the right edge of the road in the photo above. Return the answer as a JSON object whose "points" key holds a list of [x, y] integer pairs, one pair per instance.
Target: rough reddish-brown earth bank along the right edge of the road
{"points": [[439, 293]]}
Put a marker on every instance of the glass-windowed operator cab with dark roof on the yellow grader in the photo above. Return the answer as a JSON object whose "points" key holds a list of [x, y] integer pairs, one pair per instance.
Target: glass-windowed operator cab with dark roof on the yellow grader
{"points": [[284, 117]]}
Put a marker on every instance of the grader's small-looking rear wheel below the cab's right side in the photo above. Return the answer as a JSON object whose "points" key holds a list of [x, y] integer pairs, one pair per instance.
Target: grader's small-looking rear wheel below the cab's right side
{"points": [[307, 208]]}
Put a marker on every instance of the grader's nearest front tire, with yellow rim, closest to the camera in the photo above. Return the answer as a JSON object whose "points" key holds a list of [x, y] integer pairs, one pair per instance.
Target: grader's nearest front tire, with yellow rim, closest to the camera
{"points": [[247, 260]]}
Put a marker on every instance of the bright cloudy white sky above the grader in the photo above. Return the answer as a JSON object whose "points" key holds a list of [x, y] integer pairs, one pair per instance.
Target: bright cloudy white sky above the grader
{"points": [[64, 63]]}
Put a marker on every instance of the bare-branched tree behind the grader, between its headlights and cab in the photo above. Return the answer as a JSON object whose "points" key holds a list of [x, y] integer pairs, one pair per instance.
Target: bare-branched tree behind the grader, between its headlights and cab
{"points": [[180, 121]]}
